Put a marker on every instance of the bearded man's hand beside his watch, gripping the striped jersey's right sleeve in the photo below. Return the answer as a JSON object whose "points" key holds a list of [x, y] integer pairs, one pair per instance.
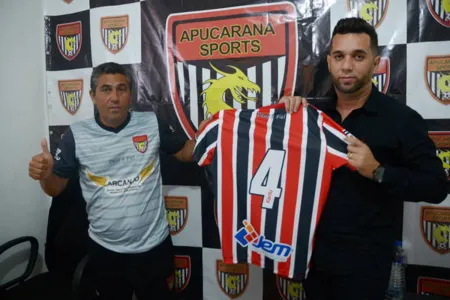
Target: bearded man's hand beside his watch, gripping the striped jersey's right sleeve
{"points": [[360, 156]]}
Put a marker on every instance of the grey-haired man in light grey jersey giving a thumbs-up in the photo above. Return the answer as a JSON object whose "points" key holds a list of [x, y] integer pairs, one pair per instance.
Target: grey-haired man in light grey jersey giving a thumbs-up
{"points": [[116, 156]]}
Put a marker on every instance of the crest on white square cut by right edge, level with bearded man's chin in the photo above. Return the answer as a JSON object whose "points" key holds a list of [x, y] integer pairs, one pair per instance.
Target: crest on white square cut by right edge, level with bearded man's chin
{"points": [[437, 77]]}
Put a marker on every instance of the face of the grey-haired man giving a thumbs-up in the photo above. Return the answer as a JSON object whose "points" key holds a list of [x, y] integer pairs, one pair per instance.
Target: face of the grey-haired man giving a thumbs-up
{"points": [[112, 98]]}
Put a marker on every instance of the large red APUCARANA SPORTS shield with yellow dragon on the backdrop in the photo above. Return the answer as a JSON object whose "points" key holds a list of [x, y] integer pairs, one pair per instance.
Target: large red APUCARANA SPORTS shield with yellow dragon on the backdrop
{"points": [[241, 57]]}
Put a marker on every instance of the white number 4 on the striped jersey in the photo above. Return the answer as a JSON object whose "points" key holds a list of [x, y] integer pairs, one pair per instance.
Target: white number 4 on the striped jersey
{"points": [[266, 180]]}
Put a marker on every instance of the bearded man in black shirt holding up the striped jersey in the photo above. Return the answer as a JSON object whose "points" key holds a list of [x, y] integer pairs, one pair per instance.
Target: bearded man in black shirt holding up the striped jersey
{"points": [[395, 161]]}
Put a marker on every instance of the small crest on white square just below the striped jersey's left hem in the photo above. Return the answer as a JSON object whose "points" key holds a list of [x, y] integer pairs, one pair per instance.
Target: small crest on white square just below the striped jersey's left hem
{"points": [[232, 278]]}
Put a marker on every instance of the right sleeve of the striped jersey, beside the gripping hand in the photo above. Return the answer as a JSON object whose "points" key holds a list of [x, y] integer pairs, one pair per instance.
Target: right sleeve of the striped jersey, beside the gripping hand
{"points": [[336, 145]]}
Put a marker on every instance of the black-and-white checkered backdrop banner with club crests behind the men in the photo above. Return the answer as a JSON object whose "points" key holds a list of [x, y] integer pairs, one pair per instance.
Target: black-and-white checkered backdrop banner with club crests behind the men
{"points": [[177, 49]]}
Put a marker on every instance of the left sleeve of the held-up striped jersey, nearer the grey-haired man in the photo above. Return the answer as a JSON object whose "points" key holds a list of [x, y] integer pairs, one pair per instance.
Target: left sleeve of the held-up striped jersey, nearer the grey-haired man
{"points": [[205, 145]]}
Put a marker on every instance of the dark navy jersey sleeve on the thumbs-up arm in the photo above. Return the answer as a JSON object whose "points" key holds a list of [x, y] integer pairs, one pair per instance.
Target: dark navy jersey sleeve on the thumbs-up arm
{"points": [[65, 162]]}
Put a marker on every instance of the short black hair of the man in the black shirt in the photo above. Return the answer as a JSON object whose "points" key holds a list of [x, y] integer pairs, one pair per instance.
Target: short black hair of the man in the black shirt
{"points": [[357, 25]]}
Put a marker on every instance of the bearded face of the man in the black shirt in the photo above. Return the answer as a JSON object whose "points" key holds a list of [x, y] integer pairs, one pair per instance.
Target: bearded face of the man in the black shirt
{"points": [[351, 62]]}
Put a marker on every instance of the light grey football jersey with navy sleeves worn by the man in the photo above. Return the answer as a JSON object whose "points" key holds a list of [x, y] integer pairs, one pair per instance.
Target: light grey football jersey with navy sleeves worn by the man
{"points": [[120, 178]]}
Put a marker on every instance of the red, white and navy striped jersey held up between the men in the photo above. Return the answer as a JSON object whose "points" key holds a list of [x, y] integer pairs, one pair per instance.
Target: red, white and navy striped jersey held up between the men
{"points": [[270, 173]]}
